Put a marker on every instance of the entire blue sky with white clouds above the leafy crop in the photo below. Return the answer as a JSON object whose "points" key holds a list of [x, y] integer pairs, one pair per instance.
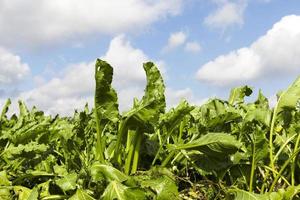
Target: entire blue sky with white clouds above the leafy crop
{"points": [[203, 47]]}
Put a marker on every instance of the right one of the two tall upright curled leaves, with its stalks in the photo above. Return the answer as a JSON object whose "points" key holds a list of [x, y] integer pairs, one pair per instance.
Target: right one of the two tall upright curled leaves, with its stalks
{"points": [[144, 115]]}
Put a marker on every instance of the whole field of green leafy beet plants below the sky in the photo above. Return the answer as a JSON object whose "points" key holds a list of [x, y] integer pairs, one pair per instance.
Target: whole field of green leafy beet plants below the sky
{"points": [[223, 149]]}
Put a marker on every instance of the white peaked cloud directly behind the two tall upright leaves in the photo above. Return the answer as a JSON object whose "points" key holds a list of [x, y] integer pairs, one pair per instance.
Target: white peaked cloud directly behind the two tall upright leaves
{"points": [[75, 85]]}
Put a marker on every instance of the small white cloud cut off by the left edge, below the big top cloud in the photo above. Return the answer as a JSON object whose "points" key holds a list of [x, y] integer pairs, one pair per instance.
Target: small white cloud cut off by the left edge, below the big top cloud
{"points": [[12, 69]]}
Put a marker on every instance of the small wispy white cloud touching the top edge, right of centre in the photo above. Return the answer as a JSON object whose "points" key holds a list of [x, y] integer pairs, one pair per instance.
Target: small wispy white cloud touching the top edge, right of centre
{"points": [[228, 14]]}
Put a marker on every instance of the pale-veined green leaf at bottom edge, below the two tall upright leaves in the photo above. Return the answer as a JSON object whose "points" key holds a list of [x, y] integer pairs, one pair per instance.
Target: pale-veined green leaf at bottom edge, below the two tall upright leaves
{"points": [[116, 190]]}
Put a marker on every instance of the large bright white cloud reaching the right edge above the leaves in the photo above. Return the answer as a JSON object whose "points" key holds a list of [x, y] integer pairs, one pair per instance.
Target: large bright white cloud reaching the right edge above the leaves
{"points": [[275, 54]]}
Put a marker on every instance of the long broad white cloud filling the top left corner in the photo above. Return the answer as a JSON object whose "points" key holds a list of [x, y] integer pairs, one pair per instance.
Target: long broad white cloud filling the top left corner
{"points": [[43, 21]]}
